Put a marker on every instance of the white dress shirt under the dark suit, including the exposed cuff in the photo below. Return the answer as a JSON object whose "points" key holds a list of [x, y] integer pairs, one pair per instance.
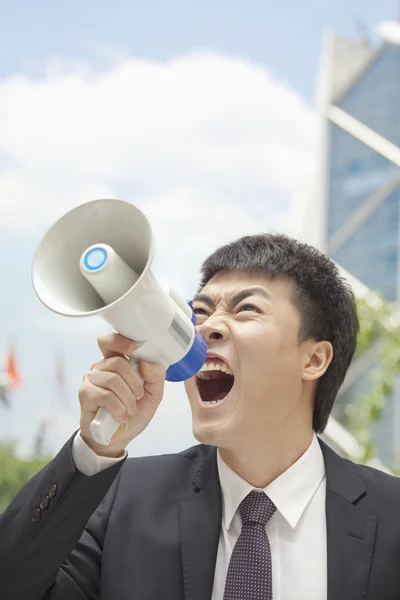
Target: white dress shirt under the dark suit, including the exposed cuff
{"points": [[296, 532]]}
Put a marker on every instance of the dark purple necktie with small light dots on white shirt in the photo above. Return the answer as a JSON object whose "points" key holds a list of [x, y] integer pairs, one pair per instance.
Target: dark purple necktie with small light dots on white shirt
{"points": [[250, 568]]}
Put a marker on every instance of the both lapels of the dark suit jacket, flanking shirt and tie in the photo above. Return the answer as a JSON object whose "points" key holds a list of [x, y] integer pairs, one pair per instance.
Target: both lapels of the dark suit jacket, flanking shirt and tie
{"points": [[350, 531]]}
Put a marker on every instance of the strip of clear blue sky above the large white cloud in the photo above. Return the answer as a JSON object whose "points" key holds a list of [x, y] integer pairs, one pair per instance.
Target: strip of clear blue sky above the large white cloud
{"points": [[285, 34]]}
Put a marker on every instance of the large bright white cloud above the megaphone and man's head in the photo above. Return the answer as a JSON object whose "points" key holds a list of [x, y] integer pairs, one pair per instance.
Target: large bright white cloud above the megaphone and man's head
{"points": [[200, 134]]}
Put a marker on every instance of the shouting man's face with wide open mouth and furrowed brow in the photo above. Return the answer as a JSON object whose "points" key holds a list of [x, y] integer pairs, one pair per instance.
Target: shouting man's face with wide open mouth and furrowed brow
{"points": [[251, 327]]}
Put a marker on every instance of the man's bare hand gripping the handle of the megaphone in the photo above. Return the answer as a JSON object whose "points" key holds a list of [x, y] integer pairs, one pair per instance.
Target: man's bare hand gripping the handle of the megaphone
{"points": [[113, 384]]}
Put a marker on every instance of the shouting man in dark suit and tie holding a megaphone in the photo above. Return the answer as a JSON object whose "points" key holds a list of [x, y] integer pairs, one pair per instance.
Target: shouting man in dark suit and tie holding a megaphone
{"points": [[261, 508]]}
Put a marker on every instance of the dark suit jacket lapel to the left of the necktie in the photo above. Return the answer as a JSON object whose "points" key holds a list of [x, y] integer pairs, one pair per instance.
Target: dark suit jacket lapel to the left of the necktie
{"points": [[200, 523]]}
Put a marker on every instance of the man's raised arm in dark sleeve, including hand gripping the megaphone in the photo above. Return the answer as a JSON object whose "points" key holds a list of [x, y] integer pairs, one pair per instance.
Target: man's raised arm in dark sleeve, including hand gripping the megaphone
{"points": [[51, 535]]}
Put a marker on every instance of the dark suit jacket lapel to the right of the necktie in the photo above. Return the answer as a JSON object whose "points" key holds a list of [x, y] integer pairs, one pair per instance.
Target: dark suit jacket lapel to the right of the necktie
{"points": [[350, 532]]}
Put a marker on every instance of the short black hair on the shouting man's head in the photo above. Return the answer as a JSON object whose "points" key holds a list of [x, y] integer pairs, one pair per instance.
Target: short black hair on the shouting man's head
{"points": [[325, 300]]}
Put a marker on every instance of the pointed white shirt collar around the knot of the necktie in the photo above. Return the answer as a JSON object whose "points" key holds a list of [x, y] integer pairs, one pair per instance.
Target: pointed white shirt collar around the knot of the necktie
{"points": [[291, 492]]}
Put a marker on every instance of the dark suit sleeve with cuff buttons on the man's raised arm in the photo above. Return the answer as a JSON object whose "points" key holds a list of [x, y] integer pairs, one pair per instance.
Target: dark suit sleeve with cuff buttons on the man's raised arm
{"points": [[54, 552]]}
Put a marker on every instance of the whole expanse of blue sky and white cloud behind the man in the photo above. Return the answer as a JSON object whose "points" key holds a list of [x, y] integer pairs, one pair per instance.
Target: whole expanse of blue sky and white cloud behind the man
{"points": [[201, 114]]}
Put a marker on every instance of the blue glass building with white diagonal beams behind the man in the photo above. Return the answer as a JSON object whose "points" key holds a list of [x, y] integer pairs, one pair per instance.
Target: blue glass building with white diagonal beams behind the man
{"points": [[359, 100]]}
